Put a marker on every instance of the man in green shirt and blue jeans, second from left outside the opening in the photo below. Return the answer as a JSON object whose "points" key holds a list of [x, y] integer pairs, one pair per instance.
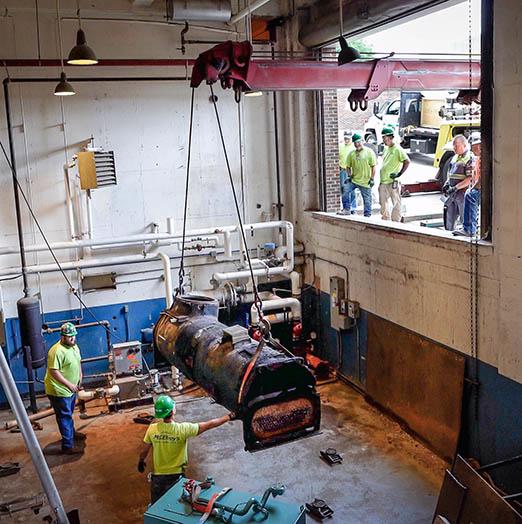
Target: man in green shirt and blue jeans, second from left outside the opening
{"points": [[360, 170]]}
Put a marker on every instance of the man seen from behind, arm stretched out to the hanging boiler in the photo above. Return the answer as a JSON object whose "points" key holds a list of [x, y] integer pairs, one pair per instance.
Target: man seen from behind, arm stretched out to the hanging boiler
{"points": [[168, 440]]}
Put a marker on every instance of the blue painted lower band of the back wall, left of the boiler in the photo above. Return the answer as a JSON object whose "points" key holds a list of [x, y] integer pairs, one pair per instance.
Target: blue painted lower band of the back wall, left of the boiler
{"points": [[126, 322]]}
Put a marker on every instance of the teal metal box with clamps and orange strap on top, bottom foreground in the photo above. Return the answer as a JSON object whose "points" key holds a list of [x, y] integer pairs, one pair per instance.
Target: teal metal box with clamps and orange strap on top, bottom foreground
{"points": [[193, 502]]}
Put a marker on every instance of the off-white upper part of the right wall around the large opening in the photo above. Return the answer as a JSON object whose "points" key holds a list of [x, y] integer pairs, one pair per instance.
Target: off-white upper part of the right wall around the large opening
{"points": [[422, 282]]}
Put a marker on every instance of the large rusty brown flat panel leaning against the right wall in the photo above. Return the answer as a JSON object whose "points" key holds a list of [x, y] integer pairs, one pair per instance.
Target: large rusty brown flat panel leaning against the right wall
{"points": [[418, 381]]}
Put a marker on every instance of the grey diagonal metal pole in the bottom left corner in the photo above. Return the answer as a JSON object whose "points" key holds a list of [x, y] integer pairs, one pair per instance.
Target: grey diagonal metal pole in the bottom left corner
{"points": [[31, 442]]}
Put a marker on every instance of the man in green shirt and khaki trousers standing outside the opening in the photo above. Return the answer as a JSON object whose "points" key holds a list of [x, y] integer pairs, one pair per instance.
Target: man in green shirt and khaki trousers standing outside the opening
{"points": [[395, 161]]}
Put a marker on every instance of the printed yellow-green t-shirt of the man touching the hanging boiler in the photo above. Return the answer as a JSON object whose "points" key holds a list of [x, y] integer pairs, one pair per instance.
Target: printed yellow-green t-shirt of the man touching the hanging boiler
{"points": [[169, 445]]}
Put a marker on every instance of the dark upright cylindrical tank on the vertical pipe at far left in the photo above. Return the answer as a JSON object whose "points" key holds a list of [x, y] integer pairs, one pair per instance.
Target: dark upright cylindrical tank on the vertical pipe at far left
{"points": [[30, 319]]}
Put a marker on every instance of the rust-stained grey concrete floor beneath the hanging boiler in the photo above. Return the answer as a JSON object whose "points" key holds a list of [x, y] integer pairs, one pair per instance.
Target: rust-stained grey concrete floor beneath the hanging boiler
{"points": [[386, 476]]}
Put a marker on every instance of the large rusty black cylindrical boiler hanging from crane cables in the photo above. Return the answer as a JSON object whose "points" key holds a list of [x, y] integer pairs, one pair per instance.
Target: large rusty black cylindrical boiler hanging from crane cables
{"points": [[279, 401]]}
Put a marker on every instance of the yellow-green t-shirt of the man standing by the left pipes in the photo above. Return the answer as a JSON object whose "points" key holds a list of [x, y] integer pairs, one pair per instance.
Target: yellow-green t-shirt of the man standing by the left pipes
{"points": [[67, 361]]}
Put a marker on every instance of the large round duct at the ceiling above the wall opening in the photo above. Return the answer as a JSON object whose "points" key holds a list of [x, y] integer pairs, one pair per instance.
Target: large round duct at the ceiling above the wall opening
{"points": [[361, 16]]}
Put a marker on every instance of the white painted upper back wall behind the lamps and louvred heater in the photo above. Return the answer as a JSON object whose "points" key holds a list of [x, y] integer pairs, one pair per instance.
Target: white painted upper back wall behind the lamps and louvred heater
{"points": [[145, 124]]}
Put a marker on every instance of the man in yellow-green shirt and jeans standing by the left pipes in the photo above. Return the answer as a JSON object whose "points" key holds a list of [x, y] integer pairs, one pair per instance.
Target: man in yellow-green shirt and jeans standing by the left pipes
{"points": [[62, 381]]}
